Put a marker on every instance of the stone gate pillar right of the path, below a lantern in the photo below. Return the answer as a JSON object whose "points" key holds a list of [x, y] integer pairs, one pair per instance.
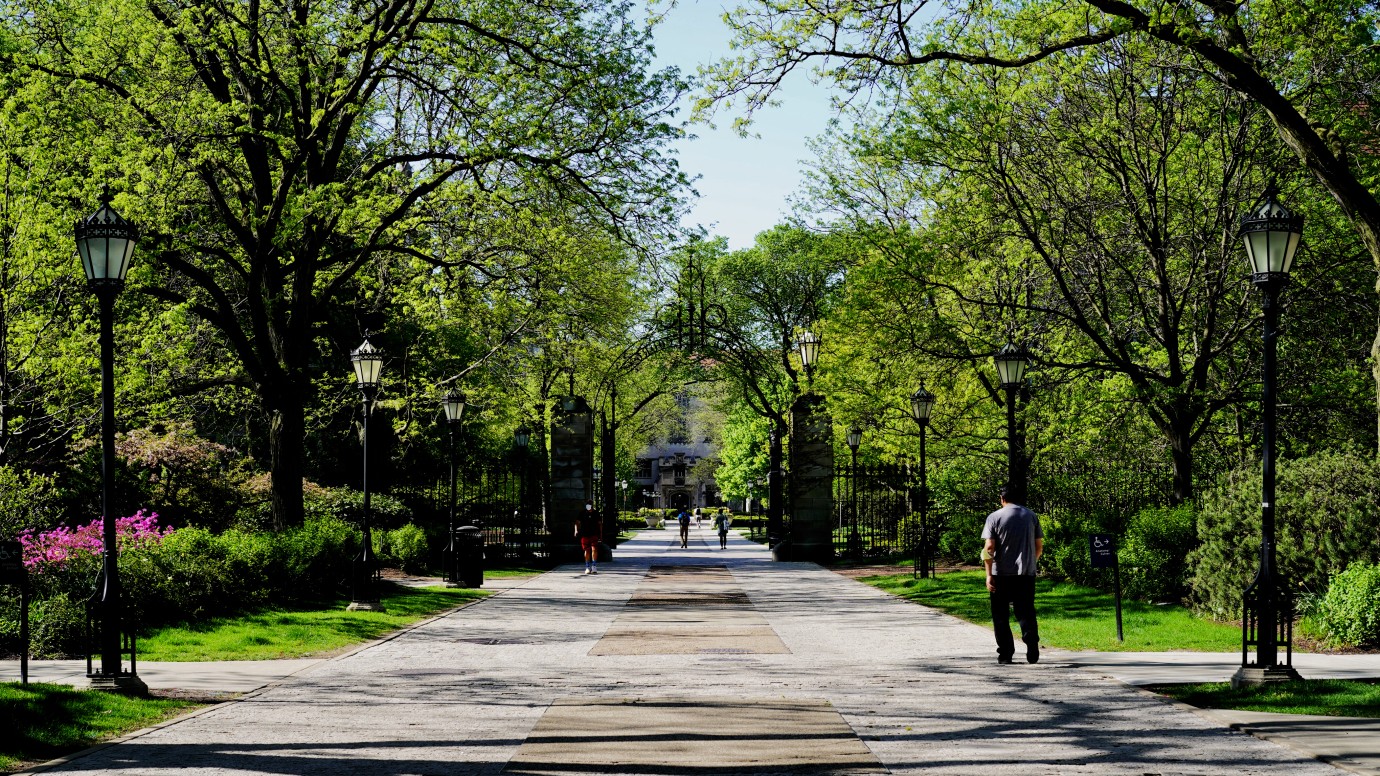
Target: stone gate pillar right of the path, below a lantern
{"points": [[812, 481]]}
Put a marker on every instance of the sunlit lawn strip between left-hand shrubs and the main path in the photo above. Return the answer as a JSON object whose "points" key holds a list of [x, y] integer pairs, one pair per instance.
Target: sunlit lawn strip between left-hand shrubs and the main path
{"points": [[299, 632]]}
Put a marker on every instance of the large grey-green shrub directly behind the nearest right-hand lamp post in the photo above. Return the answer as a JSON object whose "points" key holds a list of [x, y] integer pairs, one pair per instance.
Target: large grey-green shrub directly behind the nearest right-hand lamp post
{"points": [[1327, 507]]}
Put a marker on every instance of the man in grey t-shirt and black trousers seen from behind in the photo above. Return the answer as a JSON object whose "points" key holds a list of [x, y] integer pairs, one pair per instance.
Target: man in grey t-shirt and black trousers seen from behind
{"points": [[1015, 543]]}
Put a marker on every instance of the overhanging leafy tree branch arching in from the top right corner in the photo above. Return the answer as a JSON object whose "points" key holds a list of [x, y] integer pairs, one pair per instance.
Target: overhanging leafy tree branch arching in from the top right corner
{"points": [[1312, 66]]}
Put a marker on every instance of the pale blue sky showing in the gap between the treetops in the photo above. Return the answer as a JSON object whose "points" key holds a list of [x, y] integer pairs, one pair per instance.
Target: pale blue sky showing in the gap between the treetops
{"points": [[745, 183]]}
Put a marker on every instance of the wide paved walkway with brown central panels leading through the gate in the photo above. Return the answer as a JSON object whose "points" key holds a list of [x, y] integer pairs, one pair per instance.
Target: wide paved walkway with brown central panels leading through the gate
{"points": [[696, 662]]}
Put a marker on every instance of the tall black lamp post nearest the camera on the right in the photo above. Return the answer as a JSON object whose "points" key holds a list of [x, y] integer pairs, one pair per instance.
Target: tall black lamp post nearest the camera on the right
{"points": [[1272, 235]]}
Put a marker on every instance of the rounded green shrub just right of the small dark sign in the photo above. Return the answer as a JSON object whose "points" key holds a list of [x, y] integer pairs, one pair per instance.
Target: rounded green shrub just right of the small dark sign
{"points": [[1154, 553]]}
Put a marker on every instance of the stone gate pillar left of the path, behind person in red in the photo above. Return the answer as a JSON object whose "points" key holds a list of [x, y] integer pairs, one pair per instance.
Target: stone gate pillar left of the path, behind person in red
{"points": [[572, 474]]}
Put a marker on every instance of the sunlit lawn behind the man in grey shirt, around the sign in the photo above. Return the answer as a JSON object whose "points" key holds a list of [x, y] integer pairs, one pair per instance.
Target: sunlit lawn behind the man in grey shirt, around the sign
{"points": [[1073, 617]]}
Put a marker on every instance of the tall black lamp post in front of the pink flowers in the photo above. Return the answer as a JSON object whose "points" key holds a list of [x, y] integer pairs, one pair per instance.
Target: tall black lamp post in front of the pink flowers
{"points": [[106, 244]]}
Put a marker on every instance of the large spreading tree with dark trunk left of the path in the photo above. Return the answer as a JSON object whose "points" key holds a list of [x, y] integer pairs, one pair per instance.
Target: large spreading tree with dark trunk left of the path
{"points": [[281, 148]]}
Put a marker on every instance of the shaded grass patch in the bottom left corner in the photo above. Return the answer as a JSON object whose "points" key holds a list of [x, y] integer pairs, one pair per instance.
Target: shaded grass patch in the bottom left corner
{"points": [[46, 721]]}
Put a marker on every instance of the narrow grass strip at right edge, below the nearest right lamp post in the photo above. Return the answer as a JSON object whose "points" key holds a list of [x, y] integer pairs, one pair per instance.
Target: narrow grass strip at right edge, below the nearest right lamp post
{"points": [[1324, 698]]}
